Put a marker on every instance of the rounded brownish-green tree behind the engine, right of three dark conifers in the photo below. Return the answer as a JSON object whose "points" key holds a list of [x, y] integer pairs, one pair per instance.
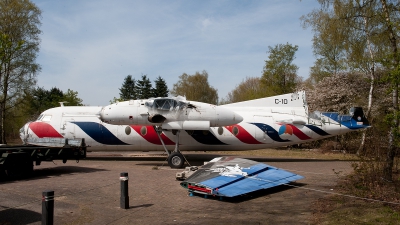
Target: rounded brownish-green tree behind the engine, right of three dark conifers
{"points": [[195, 87]]}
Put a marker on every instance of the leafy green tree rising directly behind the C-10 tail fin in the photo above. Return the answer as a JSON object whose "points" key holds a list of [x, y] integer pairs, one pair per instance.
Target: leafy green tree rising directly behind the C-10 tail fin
{"points": [[280, 74]]}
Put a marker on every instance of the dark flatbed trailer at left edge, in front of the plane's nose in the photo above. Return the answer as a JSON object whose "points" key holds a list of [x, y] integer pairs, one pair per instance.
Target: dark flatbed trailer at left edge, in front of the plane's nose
{"points": [[17, 160]]}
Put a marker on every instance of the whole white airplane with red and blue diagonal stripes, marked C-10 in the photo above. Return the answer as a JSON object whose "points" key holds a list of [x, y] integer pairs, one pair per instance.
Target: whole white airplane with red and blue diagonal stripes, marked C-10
{"points": [[174, 124]]}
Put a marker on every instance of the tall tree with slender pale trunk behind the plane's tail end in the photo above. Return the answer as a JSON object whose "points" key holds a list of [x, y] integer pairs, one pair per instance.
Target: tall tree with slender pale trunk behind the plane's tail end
{"points": [[351, 28]]}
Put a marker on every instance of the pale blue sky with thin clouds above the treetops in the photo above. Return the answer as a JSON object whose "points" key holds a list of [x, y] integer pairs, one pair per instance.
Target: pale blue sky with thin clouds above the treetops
{"points": [[90, 46]]}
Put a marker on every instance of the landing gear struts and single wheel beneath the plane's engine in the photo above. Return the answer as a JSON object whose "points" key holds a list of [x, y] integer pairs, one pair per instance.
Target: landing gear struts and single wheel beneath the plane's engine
{"points": [[175, 158]]}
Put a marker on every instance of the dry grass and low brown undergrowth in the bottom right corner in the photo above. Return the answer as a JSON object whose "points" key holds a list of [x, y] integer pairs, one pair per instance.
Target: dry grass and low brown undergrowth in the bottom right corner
{"points": [[365, 182]]}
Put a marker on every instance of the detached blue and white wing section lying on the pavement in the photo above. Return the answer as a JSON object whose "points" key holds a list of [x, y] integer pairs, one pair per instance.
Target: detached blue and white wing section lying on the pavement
{"points": [[230, 177]]}
